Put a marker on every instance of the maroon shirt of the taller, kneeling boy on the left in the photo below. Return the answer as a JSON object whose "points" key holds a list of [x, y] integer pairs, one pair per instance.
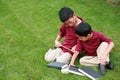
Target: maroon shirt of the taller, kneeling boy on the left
{"points": [[70, 38]]}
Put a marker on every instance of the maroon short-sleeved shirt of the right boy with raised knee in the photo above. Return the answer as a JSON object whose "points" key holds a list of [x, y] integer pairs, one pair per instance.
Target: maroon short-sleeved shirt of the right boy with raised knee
{"points": [[91, 46]]}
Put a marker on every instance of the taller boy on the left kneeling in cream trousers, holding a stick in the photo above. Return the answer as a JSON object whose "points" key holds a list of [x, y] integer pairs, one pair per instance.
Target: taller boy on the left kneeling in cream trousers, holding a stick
{"points": [[64, 50]]}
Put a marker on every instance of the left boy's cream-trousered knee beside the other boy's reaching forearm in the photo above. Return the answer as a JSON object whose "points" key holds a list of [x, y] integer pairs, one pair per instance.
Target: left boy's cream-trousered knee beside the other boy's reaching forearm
{"points": [[64, 58]]}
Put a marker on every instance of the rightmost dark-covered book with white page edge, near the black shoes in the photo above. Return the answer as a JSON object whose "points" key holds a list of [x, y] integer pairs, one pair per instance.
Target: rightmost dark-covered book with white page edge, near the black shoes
{"points": [[89, 72]]}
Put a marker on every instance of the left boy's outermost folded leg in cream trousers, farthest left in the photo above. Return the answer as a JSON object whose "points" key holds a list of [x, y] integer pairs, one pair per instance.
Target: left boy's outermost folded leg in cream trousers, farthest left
{"points": [[52, 54]]}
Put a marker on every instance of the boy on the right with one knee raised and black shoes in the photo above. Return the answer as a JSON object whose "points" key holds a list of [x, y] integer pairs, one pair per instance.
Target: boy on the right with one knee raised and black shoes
{"points": [[96, 46]]}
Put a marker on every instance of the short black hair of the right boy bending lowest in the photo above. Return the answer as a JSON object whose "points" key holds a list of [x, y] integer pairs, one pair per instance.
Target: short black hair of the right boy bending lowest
{"points": [[83, 29]]}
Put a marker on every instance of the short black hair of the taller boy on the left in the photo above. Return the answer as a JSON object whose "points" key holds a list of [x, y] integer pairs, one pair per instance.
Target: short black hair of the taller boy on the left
{"points": [[65, 13]]}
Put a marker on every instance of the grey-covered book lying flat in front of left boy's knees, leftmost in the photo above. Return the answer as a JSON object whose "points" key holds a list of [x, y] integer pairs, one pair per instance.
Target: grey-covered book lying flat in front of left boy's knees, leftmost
{"points": [[57, 65]]}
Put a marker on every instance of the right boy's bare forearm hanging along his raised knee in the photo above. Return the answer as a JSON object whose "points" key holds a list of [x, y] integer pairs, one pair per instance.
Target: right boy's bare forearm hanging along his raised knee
{"points": [[105, 54]]}
